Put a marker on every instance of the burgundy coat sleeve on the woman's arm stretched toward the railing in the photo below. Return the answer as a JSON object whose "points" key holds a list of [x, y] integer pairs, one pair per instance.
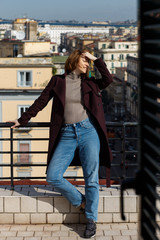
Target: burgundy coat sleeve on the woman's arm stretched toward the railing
{"points": [[39, 103]]}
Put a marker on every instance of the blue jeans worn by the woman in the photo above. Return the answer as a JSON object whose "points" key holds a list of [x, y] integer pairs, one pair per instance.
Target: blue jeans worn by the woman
{"points": [[84, 136]]}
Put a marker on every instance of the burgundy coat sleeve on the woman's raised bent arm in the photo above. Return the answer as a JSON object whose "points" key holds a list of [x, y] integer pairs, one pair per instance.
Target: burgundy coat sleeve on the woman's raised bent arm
{"points": [[106, 76]]}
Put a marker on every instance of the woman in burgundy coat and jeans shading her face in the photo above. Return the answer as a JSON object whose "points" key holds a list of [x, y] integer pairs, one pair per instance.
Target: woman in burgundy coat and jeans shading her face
{"points": [[77, 123]]}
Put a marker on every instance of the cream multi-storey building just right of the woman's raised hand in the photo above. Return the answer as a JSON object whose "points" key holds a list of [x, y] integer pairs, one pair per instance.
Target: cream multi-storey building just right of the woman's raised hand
{"points": [[115, 53]]}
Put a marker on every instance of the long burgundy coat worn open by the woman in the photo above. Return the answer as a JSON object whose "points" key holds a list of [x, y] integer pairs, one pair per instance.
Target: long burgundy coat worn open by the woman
{"points": [[92, 100]]}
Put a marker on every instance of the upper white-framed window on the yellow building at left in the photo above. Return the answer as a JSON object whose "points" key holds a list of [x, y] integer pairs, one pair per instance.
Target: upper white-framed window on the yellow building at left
{"points": [[24, 78]]}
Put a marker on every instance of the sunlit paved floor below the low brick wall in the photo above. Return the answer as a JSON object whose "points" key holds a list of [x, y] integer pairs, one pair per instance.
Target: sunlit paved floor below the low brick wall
{"points": [[122, 231]]}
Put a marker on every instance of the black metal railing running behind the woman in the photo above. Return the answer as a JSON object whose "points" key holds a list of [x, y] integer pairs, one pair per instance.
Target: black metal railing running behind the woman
{"points": [[122, 140]]}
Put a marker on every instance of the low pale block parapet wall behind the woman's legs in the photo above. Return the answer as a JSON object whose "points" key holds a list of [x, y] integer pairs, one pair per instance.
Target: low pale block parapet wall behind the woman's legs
{"points": [[40, 204]]}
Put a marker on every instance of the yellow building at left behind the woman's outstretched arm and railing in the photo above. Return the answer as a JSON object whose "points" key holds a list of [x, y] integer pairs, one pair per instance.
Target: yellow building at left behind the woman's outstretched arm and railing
{"points": [[21, 82]]}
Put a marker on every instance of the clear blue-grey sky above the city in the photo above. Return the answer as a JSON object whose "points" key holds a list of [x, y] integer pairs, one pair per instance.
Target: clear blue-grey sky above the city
{"points": [[80, 10]]}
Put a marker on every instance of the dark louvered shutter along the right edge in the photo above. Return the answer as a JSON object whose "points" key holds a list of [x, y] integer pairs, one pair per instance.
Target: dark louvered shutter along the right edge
{"points": [[150, 116]]}
